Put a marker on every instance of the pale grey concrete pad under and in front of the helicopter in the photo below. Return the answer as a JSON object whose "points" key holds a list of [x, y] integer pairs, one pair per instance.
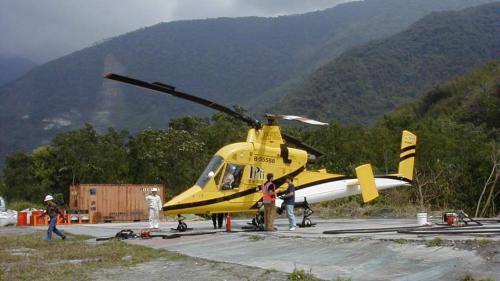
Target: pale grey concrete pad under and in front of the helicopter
{"points": [[369, 256]]}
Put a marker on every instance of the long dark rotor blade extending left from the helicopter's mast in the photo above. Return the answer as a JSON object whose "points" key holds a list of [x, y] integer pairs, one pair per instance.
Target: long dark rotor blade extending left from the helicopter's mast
{"points": [[170, 90]]}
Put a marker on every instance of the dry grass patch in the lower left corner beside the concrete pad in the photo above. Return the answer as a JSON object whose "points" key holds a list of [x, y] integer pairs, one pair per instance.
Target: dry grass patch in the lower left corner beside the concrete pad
{"points": [[32, 257]]}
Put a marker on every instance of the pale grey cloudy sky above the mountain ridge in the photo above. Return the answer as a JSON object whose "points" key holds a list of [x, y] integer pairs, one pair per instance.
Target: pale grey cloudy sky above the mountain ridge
{"points": [[42, 30]]}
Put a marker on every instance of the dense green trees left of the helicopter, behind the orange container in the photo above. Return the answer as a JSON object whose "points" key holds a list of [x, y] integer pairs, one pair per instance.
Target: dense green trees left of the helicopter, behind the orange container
{"points": [[174, 157]]}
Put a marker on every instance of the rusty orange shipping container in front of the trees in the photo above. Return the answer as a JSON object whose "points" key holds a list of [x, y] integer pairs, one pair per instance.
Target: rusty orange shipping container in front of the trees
{"points": [[112, 202]]}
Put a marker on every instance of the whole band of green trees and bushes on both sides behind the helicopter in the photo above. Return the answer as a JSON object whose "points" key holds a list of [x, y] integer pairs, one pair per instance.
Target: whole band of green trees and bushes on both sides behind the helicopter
{"points": [[456, 124]]}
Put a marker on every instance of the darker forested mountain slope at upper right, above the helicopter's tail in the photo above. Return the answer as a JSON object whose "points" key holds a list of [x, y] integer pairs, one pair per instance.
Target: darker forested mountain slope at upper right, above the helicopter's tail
{"points": [[368, 81]]}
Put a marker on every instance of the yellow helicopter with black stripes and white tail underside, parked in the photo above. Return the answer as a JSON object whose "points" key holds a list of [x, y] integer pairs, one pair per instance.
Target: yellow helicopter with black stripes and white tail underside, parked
{"points": [[231, 181]]}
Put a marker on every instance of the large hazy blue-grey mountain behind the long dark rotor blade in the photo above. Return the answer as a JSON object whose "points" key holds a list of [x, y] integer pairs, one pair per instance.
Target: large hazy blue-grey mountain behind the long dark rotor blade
{"points": [[230, 60]]}
